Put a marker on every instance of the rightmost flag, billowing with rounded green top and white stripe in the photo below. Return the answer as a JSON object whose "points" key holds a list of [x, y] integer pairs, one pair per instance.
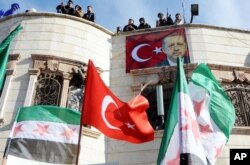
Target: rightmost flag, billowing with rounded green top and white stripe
{"points": [[214, 111]]}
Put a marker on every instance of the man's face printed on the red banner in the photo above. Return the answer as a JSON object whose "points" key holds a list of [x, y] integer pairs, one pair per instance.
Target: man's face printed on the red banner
{"points": [[174, 46]]}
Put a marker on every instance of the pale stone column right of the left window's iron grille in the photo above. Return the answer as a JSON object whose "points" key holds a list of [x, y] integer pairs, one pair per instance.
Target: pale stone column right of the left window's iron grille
{"points": [[66, 79]]}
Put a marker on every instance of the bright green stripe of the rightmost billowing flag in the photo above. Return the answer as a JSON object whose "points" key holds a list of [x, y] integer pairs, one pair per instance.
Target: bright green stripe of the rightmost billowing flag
{"points": [[221, 108]]}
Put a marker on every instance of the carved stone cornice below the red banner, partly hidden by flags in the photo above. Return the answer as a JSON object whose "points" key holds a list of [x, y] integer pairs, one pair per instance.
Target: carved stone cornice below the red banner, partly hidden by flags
{"points": [[223, 73]]}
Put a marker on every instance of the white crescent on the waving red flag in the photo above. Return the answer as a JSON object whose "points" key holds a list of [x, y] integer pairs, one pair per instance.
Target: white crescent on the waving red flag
{"points": [[106, 101]]}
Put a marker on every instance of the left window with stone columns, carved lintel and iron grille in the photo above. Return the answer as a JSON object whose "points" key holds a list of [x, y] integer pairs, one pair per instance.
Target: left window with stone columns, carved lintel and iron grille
{"points": [[56, 81]]}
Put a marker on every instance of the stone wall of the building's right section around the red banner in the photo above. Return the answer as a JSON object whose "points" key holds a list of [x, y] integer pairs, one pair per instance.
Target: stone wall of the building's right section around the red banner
{"points": [[213, 45]]}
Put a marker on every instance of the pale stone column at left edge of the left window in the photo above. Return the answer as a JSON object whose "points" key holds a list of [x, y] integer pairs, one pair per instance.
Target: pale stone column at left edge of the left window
{"points": [[31, 87]]}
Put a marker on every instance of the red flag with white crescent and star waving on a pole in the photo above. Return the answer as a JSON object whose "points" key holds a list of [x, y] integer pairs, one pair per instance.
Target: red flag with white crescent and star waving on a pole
{"points": [[116, 119]]}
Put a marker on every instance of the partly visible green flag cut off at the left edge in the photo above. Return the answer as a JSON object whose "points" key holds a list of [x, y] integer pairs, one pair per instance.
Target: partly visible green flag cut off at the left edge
{"points": [[4, 51]]}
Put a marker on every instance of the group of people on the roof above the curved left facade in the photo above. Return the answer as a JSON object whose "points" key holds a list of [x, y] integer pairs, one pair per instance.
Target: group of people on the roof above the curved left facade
{"points": [[76, 11]]}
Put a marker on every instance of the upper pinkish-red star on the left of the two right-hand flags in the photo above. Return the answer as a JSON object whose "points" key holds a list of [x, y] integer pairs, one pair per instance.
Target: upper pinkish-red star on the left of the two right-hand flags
{"points": [[191, 125]]}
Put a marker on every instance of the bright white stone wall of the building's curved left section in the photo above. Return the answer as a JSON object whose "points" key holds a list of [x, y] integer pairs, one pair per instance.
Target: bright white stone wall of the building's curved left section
{"points": [[60, 36]]}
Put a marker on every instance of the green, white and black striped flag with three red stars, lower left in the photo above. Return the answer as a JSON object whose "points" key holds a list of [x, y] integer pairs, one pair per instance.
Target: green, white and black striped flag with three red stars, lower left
{"points": [[44, 135]]}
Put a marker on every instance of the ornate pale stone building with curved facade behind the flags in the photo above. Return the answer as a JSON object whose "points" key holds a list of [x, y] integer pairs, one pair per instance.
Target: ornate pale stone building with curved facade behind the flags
{"points": [[47, 65]]}
